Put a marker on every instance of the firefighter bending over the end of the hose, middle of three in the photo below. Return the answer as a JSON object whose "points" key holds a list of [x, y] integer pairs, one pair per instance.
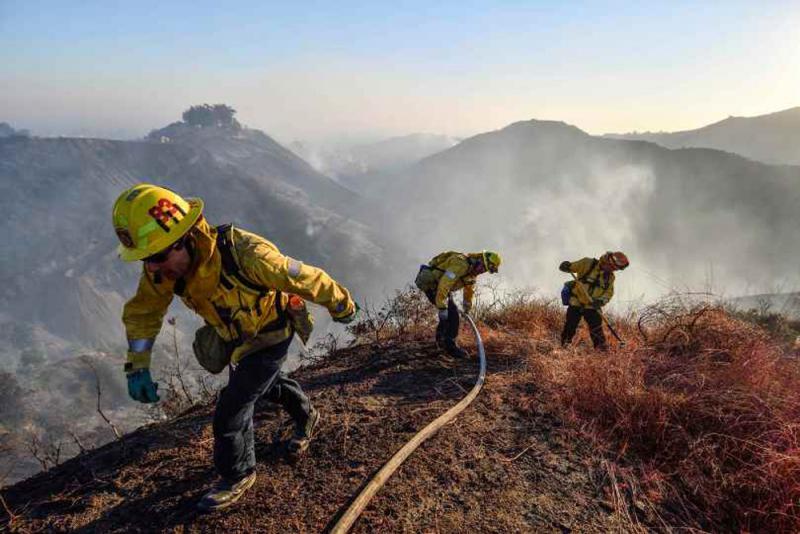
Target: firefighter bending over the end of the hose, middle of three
{"points": [[446, 273]]}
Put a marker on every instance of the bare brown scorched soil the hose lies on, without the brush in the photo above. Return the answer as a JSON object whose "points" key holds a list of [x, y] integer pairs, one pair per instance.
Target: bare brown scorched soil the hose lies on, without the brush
{"points": [[494, 469]]}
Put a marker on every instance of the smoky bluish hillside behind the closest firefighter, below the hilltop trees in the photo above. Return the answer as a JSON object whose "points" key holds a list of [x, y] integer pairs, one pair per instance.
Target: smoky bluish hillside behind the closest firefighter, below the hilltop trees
{"points": [[62, 286]]}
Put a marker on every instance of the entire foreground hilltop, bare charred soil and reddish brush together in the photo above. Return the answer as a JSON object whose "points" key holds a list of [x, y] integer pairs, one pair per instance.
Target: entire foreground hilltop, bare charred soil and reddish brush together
{"points": [[648, 437]]}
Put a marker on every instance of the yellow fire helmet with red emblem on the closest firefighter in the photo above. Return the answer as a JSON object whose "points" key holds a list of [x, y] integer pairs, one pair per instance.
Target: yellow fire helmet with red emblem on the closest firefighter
{"points": [[149, 218]]}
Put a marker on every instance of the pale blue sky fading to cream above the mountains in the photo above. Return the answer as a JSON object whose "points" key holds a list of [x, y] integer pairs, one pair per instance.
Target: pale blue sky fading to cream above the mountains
{"points": [[326, 71]]}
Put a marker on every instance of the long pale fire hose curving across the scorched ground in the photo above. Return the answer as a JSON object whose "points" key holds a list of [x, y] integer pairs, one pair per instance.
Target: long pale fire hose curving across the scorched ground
{"points": [[379, 479]]}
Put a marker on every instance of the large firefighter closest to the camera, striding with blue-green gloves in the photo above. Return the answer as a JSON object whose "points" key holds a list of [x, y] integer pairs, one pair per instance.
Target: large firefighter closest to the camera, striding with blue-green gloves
{"points": [[240, 284]]}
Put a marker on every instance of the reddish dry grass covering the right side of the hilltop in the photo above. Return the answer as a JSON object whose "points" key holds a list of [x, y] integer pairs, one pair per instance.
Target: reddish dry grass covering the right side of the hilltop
{"points": [[704, 407]]}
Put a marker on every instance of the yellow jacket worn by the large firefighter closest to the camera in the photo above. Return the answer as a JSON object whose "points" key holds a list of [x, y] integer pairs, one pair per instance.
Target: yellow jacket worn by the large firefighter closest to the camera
{"points": [[250, 316]]}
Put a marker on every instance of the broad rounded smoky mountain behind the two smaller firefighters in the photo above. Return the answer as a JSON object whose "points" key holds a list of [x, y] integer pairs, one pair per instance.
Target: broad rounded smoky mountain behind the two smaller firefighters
{"points": [[542, 191]]}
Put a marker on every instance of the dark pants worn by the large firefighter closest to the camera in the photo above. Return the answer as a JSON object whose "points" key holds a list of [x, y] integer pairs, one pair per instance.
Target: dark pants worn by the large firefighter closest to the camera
{"points": [[256, 375]]}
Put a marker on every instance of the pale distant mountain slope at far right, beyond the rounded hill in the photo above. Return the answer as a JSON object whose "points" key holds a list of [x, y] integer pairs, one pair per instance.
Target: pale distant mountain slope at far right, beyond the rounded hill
{"points": [[772, 138]]}
